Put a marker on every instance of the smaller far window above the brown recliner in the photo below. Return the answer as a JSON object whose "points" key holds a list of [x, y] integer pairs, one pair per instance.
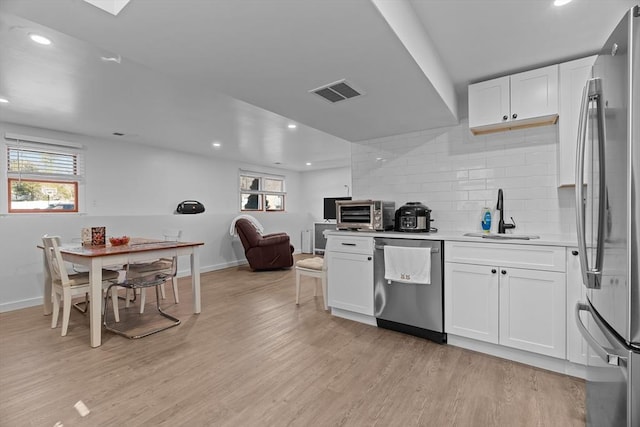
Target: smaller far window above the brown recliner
{"points": [[261, 192]]}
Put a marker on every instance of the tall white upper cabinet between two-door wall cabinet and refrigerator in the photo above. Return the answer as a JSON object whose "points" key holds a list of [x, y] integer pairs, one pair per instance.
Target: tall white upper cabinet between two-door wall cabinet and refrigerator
{"points": [[573, 76]]}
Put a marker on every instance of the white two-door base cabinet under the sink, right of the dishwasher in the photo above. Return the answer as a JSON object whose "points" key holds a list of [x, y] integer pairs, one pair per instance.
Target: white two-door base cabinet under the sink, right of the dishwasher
{"points": [[512, 295]]}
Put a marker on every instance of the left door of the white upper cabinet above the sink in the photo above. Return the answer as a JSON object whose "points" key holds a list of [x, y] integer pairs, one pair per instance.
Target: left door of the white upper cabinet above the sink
{"points": [[489, 102]]}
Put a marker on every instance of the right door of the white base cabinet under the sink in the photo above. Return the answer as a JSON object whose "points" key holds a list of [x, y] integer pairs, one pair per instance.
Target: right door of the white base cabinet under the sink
{"points": [[533, 311]]}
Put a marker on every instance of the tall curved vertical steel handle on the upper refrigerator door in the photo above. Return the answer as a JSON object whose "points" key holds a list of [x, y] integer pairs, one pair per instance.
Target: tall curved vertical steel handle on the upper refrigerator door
{"points": [[592, 92]]}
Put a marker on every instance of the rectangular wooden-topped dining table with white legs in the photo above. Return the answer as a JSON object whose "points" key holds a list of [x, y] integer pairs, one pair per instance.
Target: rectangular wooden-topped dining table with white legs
{"points": [[95, 258]]}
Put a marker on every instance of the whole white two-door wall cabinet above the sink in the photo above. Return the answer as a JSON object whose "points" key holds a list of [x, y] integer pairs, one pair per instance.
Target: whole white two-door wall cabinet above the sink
{"points": [[521, 100]]}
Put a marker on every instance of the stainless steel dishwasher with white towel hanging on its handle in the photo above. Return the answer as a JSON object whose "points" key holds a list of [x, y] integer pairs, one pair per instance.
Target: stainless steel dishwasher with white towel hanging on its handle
{"points": [[416, 309]]}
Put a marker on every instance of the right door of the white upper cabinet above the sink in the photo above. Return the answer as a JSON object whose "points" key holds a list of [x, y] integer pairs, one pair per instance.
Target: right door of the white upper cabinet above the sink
{"points": [[534, 93]]}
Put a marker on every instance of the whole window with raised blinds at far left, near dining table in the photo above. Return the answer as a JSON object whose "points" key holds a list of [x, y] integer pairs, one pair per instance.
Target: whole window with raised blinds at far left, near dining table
{"points": [[43, 177]]}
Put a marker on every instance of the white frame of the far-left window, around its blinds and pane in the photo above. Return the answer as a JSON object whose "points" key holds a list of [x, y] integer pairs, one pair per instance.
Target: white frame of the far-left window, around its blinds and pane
{"points": [[75, 176]]}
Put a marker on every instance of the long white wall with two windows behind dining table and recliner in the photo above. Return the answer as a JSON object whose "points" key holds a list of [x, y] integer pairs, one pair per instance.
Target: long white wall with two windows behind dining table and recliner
{"points": [[133, 189]]}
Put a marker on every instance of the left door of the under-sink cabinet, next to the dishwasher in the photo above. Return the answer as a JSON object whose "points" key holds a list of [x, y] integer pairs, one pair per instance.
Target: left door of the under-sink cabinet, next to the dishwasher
{"points": [[471, 301]]}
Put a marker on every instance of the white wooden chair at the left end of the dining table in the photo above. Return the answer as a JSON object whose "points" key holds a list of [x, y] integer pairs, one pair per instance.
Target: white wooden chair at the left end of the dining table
{"points": [[65, 285]]}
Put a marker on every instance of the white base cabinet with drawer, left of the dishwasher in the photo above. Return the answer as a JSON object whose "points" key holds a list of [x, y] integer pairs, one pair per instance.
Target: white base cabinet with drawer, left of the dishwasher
{"points": [[350, 273]]}
